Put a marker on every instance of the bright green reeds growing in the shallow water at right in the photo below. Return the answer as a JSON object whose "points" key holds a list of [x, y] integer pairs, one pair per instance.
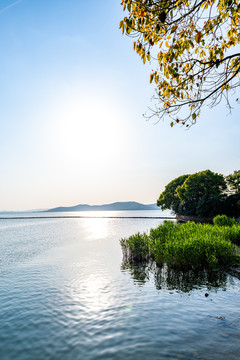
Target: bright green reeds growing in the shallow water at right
{"points": [[189, 246]]}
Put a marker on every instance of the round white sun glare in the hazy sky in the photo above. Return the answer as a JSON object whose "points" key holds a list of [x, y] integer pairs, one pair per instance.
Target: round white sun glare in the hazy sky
{"points": [[87, 130]]}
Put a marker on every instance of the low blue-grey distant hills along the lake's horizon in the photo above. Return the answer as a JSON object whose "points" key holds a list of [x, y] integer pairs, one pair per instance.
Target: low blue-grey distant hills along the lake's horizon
{"points": [[117, 206]]}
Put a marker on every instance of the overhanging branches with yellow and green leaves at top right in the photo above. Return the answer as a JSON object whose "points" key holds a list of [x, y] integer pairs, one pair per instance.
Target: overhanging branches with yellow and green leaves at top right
{"points": [[193, 47]]}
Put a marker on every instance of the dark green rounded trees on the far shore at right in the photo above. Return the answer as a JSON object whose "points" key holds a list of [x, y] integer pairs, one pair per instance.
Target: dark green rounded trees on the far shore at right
{"points": [[203, 194]]}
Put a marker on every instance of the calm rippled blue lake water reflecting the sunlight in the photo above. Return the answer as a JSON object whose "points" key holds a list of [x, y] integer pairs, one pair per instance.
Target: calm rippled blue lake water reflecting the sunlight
{"points": [[65, 293]]}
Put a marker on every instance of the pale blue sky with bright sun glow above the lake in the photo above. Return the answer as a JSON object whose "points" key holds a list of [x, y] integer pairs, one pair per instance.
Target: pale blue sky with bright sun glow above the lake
{"points": [[72, 95]]}
